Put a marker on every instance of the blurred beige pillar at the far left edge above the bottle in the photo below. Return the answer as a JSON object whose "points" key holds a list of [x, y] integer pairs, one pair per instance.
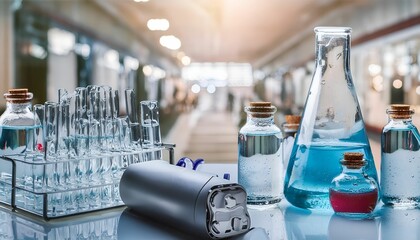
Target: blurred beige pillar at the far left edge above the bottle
{"points": [[6, 48]]}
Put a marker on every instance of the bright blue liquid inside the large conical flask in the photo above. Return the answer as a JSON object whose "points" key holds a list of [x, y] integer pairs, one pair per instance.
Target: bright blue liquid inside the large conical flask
{"points": [[314, 166]]}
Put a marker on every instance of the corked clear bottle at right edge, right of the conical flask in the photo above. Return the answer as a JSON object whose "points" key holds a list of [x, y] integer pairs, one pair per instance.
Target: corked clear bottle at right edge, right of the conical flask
{"points": [[400, 166]]}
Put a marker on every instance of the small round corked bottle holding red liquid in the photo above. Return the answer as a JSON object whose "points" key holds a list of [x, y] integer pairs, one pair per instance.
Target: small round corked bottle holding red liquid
{"points": [[353, 193]]}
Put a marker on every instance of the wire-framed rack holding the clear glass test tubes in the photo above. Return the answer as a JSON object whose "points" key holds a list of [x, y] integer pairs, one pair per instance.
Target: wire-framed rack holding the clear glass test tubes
{"points": [[97, 192]]}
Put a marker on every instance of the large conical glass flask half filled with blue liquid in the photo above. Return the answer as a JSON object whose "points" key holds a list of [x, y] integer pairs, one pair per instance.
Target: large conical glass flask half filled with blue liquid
{"points": [[331, 124]]}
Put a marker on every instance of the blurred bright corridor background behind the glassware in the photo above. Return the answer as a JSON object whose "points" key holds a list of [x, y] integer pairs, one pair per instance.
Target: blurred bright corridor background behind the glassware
{"points": [[203, 60]]}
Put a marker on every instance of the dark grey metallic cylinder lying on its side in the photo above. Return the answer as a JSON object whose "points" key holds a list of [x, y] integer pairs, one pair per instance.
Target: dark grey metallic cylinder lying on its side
{"points": [[195, 202]]}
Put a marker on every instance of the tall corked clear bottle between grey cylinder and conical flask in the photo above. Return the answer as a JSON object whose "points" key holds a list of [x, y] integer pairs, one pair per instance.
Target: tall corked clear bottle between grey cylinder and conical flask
{"points": [[260, 164]]}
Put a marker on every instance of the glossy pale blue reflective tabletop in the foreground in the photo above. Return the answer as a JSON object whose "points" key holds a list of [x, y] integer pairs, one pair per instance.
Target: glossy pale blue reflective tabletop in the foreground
{"points": [[282, 222]]}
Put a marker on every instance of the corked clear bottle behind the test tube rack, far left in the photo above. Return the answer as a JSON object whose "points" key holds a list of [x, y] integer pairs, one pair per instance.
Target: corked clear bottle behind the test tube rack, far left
{"points": [[17, 123]]}
